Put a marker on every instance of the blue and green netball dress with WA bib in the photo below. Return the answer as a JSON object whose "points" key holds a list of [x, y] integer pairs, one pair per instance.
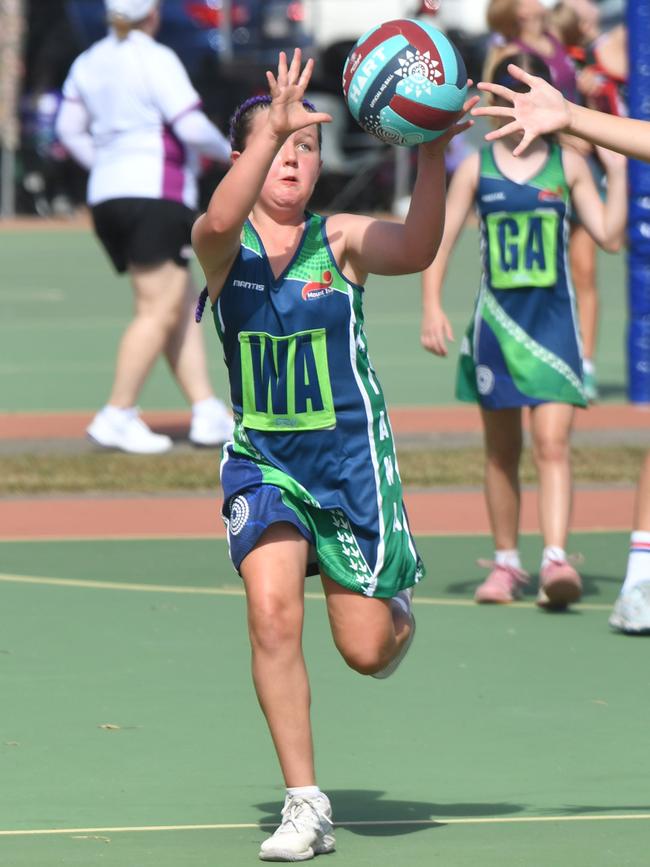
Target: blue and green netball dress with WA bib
{"points": [[313, 444]]}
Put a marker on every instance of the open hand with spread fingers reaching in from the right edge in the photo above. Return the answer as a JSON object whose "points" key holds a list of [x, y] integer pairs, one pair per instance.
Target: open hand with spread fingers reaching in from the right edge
{"points": [[540, 111]]}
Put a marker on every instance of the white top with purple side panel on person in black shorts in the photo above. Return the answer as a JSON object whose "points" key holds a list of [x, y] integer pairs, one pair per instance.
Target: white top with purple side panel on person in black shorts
{"points": [[132, 117]]}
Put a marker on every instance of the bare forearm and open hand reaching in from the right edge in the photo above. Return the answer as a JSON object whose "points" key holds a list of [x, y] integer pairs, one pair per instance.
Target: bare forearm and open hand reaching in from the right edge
{"points": [[543, 110]]}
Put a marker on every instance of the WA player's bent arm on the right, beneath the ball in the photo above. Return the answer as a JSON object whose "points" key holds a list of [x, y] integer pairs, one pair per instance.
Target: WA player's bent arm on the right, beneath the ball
{"points": [[374, 246]]}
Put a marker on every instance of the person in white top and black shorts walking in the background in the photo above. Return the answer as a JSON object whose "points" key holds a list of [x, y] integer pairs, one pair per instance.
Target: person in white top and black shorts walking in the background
{"points": [[131, 117]]}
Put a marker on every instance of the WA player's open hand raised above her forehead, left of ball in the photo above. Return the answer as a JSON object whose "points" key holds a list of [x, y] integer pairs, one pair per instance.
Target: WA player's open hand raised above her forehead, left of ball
{"points": [[287, 114]]}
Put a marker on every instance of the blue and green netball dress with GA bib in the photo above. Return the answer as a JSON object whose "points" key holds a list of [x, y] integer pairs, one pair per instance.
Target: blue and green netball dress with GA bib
{"points": [[522, 347]]}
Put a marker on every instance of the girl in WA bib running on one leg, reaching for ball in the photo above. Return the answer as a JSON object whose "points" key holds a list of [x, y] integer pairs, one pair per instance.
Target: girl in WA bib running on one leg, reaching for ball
{"points": [[311, 481]]}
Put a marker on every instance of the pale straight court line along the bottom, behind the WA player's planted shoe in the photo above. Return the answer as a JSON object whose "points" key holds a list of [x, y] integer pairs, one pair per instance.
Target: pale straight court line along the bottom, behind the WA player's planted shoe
{"points": [[244, 826]]}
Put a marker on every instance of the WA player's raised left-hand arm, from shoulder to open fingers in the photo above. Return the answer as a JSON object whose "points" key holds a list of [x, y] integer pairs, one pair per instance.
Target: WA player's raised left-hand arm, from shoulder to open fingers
{"points": [[216, 234]]}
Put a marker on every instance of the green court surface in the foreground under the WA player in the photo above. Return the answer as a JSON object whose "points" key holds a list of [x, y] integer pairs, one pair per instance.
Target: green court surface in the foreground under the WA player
{"points": [[129, 724]]}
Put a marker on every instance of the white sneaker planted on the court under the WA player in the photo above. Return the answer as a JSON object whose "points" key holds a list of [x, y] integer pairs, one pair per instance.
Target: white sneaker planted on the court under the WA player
{"points": [[306, 830]]}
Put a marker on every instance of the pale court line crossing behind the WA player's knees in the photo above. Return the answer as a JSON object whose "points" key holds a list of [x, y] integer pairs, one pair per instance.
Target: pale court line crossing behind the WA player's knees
{"points": [[239, 591]]}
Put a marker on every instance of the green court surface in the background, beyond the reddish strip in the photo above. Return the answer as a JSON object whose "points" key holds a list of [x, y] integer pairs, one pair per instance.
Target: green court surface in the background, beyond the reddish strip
{"points": [[64, 311]]}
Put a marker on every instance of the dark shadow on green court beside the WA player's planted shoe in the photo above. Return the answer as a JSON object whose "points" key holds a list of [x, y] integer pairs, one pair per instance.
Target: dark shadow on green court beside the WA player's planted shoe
{"points": [[362, 805]]}
